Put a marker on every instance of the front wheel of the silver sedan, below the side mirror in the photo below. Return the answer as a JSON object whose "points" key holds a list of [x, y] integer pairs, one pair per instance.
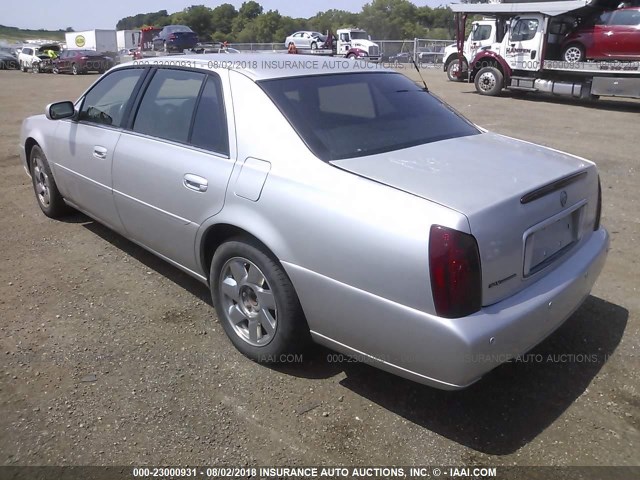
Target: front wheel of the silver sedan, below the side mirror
{"points": [[49, 199]]}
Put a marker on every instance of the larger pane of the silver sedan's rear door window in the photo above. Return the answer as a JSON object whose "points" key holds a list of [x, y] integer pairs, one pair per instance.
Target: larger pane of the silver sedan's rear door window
{"points": [[168, 105]]}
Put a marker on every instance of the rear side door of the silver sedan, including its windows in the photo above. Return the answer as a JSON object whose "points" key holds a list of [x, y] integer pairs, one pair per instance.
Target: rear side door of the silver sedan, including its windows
{"points": [[172, 167]]}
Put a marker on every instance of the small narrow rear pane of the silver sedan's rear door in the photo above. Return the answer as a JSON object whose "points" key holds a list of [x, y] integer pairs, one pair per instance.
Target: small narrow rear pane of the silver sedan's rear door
{"points": [[210, 124]]}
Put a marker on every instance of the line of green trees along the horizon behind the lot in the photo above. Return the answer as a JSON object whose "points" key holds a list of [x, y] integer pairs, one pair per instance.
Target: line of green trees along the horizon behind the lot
{"points": [[383, 19]]}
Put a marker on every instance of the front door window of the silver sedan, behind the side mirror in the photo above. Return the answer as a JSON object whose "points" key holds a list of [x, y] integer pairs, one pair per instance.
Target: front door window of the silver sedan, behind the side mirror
{"points": [[106, 101]]}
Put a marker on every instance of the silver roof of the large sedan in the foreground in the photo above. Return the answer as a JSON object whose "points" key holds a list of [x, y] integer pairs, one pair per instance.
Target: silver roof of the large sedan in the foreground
{"points": [[266, 66]]}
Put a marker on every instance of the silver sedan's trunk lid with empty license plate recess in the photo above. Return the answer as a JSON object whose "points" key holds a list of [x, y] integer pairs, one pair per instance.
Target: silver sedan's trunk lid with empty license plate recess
{"points": [[527, 205]]}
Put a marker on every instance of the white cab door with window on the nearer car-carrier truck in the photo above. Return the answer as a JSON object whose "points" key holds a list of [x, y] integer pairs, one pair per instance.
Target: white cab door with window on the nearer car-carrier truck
{"points": [[525, 40]]}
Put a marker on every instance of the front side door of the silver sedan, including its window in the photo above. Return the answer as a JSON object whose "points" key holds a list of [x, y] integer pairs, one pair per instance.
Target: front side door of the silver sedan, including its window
{"points": [[83, 147]]}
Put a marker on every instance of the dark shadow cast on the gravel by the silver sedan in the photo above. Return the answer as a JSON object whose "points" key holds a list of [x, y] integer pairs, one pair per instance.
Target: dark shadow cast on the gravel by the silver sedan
{"points": [[499, 414]]}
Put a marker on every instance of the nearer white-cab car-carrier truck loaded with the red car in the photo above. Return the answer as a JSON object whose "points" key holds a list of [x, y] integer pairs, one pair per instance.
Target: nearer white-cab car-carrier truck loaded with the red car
{"points": [[529, 57]]}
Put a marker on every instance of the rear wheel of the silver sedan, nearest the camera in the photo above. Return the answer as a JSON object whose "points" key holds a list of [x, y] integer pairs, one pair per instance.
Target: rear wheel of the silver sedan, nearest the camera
{"points": [[256, 302]]}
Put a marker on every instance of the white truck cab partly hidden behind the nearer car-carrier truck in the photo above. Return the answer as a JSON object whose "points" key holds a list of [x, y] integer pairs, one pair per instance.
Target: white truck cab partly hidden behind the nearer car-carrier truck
{"points": [[483, 34]]}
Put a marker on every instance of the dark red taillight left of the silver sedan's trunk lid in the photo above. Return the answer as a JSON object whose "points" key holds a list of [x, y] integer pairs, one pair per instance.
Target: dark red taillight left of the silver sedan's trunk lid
{"points": [[456, 279]]}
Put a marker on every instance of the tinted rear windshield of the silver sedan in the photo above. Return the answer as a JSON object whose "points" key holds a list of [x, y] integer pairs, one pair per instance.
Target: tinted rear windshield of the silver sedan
{"points": [[356, 114]]}
